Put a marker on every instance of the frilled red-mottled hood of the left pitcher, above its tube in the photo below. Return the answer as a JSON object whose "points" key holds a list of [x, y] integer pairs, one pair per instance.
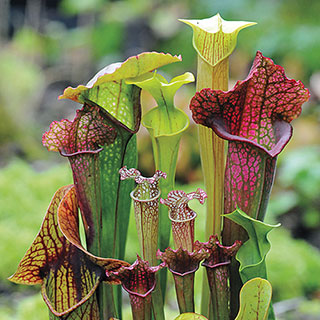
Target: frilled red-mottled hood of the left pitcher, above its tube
{"points": [[87, 132]]}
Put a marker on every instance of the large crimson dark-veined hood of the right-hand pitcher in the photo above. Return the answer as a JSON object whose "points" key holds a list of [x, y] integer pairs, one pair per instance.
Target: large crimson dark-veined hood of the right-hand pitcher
{"points": [[251, 107]]}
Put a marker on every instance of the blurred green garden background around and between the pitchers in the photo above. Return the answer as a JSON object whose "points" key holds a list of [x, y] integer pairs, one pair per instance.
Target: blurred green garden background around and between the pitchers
{"points": [[46, 45]]}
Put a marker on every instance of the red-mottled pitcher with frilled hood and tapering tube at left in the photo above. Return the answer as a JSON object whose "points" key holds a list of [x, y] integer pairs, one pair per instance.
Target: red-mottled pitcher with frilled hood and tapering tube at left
{"points": [[87, 132]]}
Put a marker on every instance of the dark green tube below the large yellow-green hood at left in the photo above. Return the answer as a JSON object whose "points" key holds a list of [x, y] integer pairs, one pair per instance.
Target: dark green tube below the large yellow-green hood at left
{"points": [[116, 204]]}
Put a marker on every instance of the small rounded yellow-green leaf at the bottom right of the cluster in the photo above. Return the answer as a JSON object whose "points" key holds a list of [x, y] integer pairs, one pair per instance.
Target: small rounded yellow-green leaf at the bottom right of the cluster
{"points": [[255, 298]]}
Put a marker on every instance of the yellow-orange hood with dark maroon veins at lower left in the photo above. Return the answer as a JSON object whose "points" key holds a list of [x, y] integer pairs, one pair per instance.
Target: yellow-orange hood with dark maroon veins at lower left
{"points": [[68, 274]]}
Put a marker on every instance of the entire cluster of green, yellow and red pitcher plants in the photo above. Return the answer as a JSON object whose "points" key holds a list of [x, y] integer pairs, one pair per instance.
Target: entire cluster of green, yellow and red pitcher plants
{"points": [[78, 256]]}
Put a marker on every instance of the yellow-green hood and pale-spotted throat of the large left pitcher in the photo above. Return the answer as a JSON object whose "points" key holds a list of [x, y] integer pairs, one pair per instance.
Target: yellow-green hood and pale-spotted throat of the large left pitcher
{"points": [[108, 89]]}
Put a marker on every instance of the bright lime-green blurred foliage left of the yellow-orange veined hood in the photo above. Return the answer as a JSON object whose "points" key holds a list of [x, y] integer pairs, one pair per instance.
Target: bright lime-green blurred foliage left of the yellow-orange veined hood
{"points": [[25, 194]]}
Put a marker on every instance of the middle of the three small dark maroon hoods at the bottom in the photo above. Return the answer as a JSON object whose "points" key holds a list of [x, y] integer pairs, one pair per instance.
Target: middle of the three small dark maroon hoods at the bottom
{"points": [[182, 262]]}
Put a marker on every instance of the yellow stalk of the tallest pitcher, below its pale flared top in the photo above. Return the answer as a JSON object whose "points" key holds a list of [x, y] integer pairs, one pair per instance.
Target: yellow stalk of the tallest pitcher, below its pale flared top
{"points": [[212, 159]]}
